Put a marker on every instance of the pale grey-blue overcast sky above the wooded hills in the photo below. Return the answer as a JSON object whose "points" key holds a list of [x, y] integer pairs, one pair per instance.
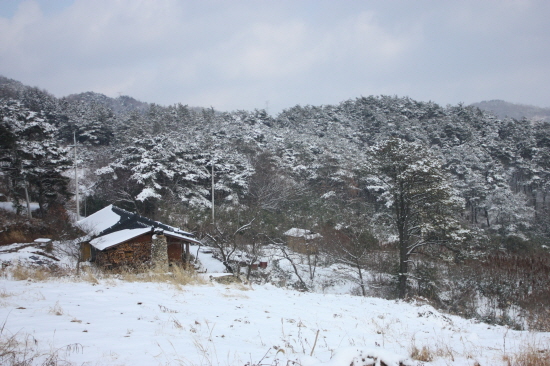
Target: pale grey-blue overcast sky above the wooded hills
{"points": [[276, 53]]}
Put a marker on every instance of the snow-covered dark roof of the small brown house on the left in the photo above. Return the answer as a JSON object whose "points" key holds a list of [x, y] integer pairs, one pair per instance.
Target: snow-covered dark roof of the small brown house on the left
{"points": [[114, 225]]}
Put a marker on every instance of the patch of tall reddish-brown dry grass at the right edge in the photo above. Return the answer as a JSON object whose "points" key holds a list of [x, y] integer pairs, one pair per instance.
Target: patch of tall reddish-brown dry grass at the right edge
{"points": [[505, 281]]}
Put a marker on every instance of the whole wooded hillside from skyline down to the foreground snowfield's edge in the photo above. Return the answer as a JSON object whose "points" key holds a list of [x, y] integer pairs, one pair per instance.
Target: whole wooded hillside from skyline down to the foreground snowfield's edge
{"points": [[471, 233]]}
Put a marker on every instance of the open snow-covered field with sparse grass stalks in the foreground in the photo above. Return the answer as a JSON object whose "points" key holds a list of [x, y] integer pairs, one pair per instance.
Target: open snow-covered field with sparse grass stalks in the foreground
{"points": [[120, 323]]}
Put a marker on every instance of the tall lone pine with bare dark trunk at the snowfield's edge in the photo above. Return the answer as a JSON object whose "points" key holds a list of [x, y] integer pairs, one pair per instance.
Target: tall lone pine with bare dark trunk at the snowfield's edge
{"points": [[415, 189]]}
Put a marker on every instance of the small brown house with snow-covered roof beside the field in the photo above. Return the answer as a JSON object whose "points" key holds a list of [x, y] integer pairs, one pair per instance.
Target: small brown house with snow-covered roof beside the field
{"points": [[119, 237]]}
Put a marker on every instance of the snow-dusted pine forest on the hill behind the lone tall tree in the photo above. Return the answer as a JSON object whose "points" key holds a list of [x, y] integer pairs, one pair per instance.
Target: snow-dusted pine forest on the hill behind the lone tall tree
{"points": [[310, 164]]}
